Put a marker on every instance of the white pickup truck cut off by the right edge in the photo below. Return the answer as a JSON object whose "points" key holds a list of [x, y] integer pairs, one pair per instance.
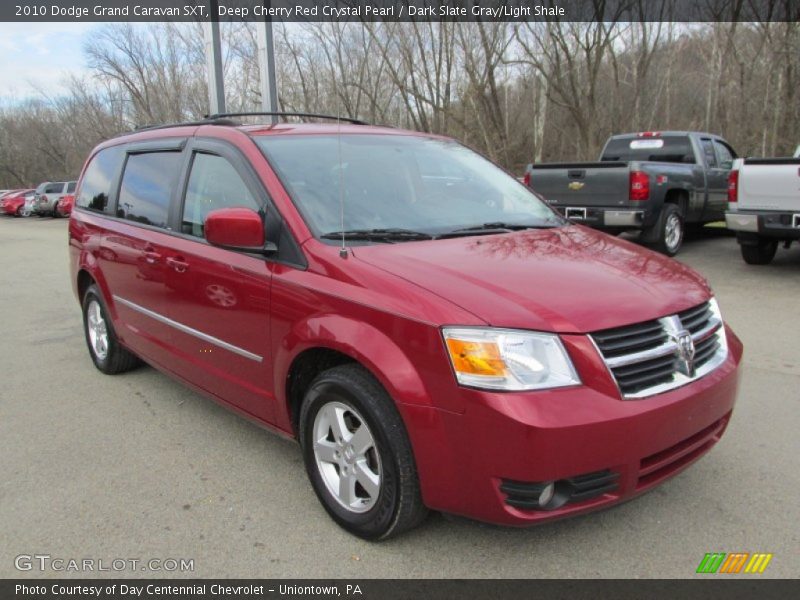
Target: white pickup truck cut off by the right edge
{"points": [[764, 205]]}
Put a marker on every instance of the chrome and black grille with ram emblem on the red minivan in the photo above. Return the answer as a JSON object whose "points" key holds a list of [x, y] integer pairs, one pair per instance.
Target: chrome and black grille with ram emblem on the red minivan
{"points": [[655, 356]]}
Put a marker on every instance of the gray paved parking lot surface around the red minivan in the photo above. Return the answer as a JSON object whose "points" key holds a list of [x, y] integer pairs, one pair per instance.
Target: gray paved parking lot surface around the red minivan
{"points": [[138, 466]]}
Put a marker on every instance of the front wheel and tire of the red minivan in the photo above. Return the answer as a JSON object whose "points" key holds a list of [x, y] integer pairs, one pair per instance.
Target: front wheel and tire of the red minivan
{"points": [[358, 456]]}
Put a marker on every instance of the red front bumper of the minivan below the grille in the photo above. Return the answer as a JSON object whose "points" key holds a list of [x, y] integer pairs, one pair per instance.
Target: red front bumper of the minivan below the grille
{"points": [[487, 462]]}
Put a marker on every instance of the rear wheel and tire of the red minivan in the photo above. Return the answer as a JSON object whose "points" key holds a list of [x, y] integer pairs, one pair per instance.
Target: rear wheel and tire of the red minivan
{"points": [[104, 348]]}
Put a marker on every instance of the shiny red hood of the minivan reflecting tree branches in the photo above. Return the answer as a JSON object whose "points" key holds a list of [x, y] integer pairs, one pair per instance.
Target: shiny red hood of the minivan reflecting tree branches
{"points": [[568, 279]]}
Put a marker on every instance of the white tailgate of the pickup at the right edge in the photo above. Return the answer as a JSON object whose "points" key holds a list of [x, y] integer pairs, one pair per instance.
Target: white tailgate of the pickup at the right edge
{"points": [[770, 184]]}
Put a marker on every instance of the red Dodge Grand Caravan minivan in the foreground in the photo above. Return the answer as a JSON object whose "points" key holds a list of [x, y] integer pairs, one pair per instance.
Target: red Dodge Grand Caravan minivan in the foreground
{"points": [[430, 331]]}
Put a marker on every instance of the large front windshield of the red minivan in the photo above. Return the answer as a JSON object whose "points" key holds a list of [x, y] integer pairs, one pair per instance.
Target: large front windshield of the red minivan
{"points": [[408, 186]]}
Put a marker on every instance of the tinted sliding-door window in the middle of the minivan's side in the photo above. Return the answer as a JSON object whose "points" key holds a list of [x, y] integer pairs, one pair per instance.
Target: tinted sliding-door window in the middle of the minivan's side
{"points": [[147, 186]]}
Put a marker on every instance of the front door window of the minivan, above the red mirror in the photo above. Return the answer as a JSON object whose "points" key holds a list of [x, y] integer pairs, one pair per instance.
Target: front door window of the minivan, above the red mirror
{"points": [[213, 183]]}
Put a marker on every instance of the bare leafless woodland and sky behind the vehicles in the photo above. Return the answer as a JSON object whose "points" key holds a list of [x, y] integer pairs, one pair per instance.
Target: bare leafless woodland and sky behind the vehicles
{"points": [[515, 92]]}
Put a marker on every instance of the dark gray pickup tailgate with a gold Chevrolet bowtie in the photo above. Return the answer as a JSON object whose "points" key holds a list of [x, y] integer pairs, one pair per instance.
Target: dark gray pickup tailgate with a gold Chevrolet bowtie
{"points": [[581, 184]]}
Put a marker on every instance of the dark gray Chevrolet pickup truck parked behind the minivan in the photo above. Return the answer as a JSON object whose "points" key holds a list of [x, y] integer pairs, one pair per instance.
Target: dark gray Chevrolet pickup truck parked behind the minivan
{"points": [[655, 182]]}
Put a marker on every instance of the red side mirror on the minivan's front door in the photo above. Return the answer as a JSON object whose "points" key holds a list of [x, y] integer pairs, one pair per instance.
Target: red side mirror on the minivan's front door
{"points": [[237, 229]]}
